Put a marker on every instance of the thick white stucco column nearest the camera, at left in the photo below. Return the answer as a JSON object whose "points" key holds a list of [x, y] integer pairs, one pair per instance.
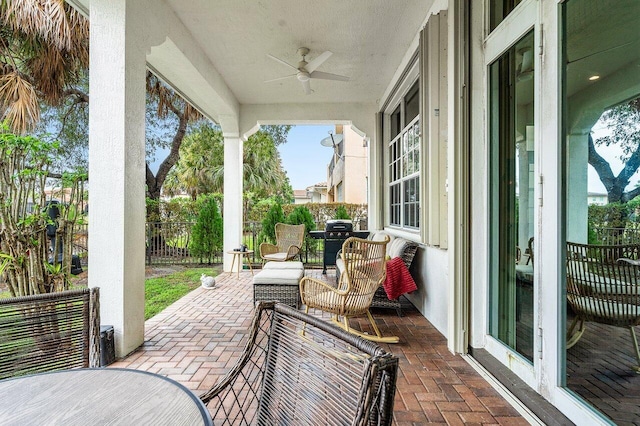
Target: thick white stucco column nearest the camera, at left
{"points": [[117, 169]]}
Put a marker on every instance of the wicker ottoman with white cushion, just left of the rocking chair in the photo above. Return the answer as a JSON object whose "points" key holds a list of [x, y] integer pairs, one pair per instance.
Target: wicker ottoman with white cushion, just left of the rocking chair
{"points": [[279, 281]]}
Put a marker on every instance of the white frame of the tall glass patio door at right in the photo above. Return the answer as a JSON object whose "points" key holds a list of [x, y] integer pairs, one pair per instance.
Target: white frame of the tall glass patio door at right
{"points": [[546, 374]]}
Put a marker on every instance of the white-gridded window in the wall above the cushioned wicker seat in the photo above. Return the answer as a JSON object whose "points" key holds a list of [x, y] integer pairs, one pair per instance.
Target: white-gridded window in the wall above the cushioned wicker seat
{"points": [[404, 163]]}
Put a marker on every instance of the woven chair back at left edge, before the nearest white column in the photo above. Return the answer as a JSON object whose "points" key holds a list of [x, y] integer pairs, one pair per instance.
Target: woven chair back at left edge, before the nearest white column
{"points": [[49, 332]]}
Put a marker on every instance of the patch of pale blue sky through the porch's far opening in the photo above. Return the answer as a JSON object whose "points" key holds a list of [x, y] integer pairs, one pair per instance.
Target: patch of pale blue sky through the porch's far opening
{"points": [[303, 158]]}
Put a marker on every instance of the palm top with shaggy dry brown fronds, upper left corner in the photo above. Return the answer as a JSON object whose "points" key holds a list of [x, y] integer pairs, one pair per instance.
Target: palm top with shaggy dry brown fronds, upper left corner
{"points": [[44, 51]]}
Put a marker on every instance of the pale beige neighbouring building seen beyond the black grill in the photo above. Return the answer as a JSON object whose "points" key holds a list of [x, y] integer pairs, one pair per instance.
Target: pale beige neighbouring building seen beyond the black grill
{"points": [[347, 178]]}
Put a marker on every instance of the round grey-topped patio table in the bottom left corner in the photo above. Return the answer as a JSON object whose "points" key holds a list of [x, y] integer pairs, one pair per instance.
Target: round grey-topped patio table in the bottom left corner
{"points": [[96, 396]]}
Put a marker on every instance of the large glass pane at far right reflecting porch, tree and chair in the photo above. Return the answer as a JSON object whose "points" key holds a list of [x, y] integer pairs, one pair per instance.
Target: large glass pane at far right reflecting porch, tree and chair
{"points": [[601, 110]]}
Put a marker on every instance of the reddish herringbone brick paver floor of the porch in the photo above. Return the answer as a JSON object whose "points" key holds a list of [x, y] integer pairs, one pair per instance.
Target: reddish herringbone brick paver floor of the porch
{"points": [[197, 339]]}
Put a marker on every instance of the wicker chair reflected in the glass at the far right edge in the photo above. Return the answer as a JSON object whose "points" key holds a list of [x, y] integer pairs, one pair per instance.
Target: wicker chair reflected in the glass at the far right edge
{"points": [[603, 286]]}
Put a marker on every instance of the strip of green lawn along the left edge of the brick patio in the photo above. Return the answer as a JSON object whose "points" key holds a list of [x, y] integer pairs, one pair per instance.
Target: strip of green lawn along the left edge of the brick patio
{"points": [[163, 291]]}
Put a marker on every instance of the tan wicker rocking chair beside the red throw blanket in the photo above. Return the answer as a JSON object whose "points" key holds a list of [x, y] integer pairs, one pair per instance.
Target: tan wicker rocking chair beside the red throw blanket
{"points": [[364, 272]]}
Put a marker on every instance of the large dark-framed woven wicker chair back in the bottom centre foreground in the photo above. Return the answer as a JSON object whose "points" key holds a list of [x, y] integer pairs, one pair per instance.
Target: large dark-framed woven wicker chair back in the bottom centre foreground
{"points": [[299, 370]]}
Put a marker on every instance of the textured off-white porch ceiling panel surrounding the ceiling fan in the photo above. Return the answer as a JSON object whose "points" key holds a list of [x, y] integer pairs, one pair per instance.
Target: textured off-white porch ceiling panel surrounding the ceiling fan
{"points": [[368, 38]]}
